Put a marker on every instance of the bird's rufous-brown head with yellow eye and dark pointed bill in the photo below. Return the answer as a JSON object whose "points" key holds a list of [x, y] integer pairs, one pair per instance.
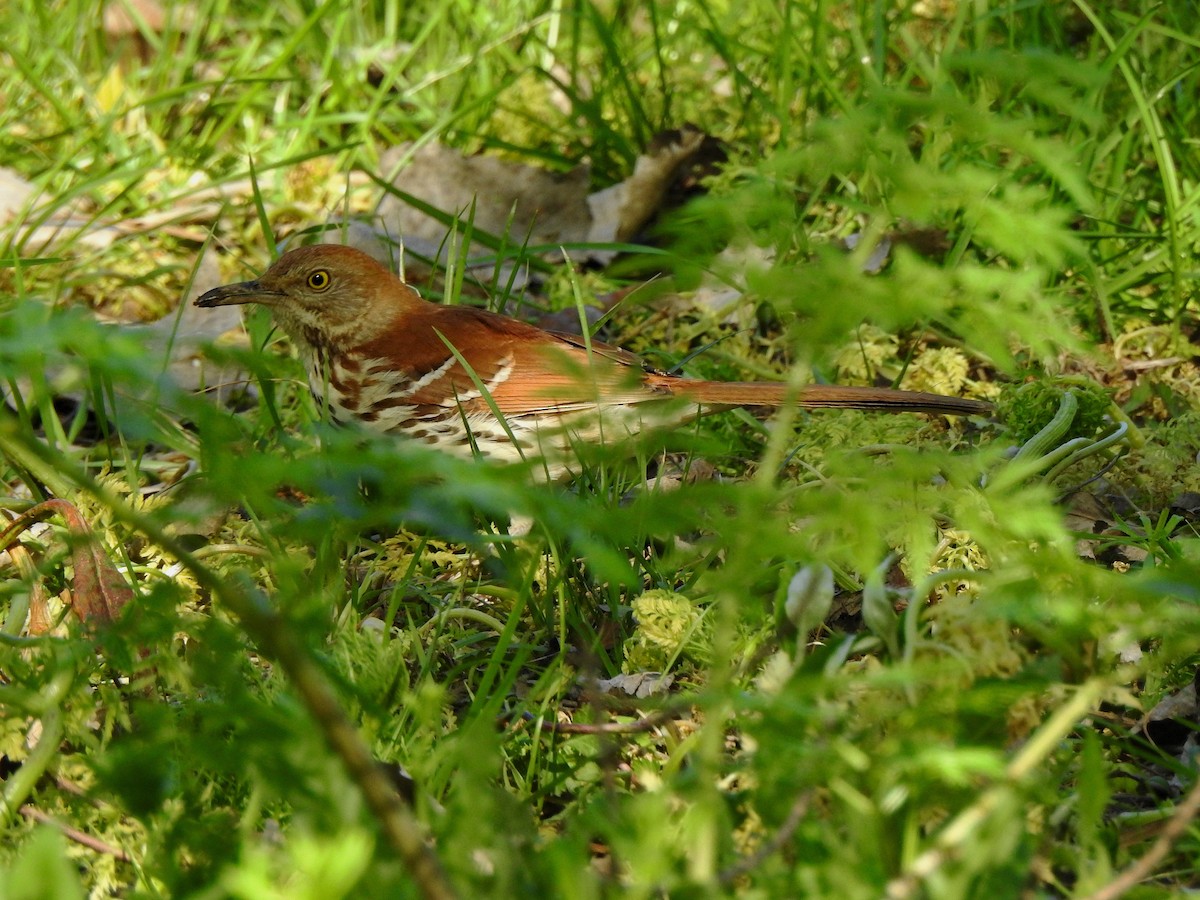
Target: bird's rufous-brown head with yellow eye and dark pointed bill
{"points": [[325, 292]]}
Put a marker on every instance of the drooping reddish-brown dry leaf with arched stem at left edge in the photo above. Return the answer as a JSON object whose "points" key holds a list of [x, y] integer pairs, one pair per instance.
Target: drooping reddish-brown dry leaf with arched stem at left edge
{"points": [[100, 591]]}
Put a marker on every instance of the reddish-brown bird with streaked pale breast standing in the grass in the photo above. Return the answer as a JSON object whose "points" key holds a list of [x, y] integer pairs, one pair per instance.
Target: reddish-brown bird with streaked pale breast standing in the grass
{"points": [[380, 355]]}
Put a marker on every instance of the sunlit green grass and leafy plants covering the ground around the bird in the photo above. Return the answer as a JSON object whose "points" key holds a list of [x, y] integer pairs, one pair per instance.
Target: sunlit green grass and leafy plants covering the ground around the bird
{"points": [[961, 724]]}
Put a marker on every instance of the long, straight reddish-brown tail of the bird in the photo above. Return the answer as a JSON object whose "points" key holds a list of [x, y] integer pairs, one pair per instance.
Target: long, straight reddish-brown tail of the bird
{"points": [[814, 397]]}
